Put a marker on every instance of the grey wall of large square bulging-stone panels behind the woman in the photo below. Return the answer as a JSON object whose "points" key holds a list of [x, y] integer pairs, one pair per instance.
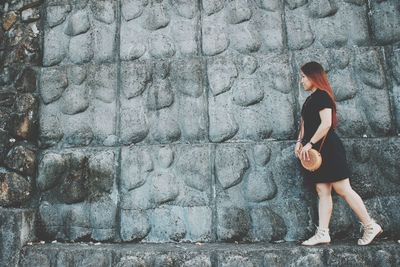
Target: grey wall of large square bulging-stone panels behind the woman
{"points": [[174, 120]]}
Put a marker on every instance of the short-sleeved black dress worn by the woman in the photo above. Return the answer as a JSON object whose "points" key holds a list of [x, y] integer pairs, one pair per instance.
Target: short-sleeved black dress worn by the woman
{"points": [[334, 165]]}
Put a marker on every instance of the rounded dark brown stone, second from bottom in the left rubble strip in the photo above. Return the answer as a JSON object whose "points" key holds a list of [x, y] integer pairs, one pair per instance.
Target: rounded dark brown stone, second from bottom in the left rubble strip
{"points": [[22, 159]]}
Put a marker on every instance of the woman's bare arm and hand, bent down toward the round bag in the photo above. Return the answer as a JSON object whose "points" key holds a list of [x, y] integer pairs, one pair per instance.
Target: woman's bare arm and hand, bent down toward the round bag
{"points": [[326, 123]]}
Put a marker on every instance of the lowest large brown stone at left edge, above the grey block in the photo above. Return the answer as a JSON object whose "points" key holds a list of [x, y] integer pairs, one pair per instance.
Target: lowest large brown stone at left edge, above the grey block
{"points": [[15, 189]]}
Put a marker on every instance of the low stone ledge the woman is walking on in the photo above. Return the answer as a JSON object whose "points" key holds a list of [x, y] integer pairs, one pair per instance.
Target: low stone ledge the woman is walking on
{"points": [[380, 253]]}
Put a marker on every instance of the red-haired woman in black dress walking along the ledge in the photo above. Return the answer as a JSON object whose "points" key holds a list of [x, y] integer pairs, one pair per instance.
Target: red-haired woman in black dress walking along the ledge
{"points": [[318, 119]]}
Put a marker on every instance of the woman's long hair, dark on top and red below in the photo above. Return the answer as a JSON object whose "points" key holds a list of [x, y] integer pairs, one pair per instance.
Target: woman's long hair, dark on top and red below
{"points": [[317, 75]]}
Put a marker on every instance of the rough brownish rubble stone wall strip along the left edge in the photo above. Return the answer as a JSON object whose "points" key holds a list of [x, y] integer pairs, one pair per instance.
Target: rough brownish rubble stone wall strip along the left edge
{"points": [[20, 61]]}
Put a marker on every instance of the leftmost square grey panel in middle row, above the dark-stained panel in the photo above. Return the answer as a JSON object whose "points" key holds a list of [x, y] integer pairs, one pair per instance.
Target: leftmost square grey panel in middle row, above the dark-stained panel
{"points": [[79, 104]]}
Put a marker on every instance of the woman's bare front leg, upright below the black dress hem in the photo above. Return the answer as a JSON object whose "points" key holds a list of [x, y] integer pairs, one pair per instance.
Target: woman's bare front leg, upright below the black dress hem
{"points": [[325, 206]]}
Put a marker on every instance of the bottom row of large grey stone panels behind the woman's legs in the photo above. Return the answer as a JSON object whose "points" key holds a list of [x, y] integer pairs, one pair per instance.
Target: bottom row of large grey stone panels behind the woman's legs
{"points": [[165, 195]]}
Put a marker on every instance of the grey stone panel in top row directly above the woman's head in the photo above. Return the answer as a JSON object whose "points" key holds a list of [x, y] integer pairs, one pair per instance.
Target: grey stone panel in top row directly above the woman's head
{"points": [[313, 24]]}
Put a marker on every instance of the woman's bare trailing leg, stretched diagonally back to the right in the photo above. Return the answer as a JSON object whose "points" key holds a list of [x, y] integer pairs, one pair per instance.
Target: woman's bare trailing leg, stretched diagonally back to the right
{"points": [[343, 189]]}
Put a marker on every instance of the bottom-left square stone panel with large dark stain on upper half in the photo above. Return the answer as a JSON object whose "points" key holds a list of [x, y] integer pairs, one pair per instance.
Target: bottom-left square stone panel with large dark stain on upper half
{"points": [[79, 196]]}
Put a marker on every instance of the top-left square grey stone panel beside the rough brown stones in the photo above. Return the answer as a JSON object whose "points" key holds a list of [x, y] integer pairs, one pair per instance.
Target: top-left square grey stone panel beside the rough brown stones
{"points": [[79, 33]]}
